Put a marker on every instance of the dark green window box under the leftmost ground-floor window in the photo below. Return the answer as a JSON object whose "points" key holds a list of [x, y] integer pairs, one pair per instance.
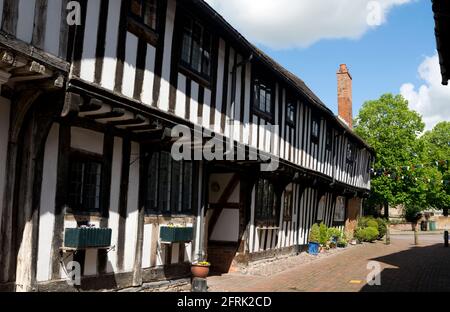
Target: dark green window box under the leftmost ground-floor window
{"points": [[82, 238]]}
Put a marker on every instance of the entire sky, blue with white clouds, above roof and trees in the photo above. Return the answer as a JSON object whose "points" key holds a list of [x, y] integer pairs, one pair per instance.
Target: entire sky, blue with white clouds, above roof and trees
{"points": [[312, 37]]}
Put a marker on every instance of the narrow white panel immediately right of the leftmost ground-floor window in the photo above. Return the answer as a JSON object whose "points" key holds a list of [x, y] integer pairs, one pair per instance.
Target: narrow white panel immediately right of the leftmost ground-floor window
{"points": [[114, 203]]}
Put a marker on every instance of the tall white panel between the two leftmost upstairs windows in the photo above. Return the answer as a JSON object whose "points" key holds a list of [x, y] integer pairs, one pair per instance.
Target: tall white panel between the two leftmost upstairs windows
{"points": [[165, 74]]}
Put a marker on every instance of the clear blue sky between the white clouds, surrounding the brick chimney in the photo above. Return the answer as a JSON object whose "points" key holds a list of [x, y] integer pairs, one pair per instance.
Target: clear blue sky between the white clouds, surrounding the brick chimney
{"points": [[381, 61]]}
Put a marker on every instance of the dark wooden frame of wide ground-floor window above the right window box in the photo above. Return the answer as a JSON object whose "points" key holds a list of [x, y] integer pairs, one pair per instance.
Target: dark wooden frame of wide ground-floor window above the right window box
{"points": [[168, 211]]}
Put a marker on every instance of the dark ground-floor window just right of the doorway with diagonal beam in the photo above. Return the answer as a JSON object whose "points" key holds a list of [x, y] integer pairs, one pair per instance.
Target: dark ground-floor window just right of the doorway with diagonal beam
{"points": [[266, 202]]}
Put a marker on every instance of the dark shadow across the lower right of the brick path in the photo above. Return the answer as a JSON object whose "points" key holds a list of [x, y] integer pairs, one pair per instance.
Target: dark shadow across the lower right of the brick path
{"points": [[418, 269]]}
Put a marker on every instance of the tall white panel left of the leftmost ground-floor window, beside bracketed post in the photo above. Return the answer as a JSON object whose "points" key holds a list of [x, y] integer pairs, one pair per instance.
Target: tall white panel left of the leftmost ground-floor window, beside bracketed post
{"points": [[47, 205]]}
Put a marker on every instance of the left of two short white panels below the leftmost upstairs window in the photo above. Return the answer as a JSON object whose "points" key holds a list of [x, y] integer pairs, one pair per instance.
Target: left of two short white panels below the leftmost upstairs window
{"points": [[129, 67]]}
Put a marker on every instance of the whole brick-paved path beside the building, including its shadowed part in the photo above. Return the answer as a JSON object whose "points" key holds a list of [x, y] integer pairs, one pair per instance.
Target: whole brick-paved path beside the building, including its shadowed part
{"points": [[404, 268]]}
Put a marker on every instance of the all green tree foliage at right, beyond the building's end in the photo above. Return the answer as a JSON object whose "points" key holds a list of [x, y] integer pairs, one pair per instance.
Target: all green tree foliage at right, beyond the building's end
{"points": [[394, 131]]}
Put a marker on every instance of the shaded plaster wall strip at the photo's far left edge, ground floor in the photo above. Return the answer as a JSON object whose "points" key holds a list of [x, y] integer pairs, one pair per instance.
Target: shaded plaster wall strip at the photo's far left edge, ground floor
{"points": [[4, 133]]}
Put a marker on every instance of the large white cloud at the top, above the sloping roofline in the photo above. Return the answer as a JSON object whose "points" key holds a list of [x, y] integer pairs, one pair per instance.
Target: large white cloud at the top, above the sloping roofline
{"points": [[300, 23]]}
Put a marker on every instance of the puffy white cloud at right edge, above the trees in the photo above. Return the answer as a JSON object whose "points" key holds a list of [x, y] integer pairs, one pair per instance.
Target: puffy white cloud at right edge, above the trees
{"points": [[431, 99]]}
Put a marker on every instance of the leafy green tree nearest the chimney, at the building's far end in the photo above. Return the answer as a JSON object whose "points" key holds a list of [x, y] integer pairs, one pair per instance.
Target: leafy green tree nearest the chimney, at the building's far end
{"points": [[392, 129]]}
